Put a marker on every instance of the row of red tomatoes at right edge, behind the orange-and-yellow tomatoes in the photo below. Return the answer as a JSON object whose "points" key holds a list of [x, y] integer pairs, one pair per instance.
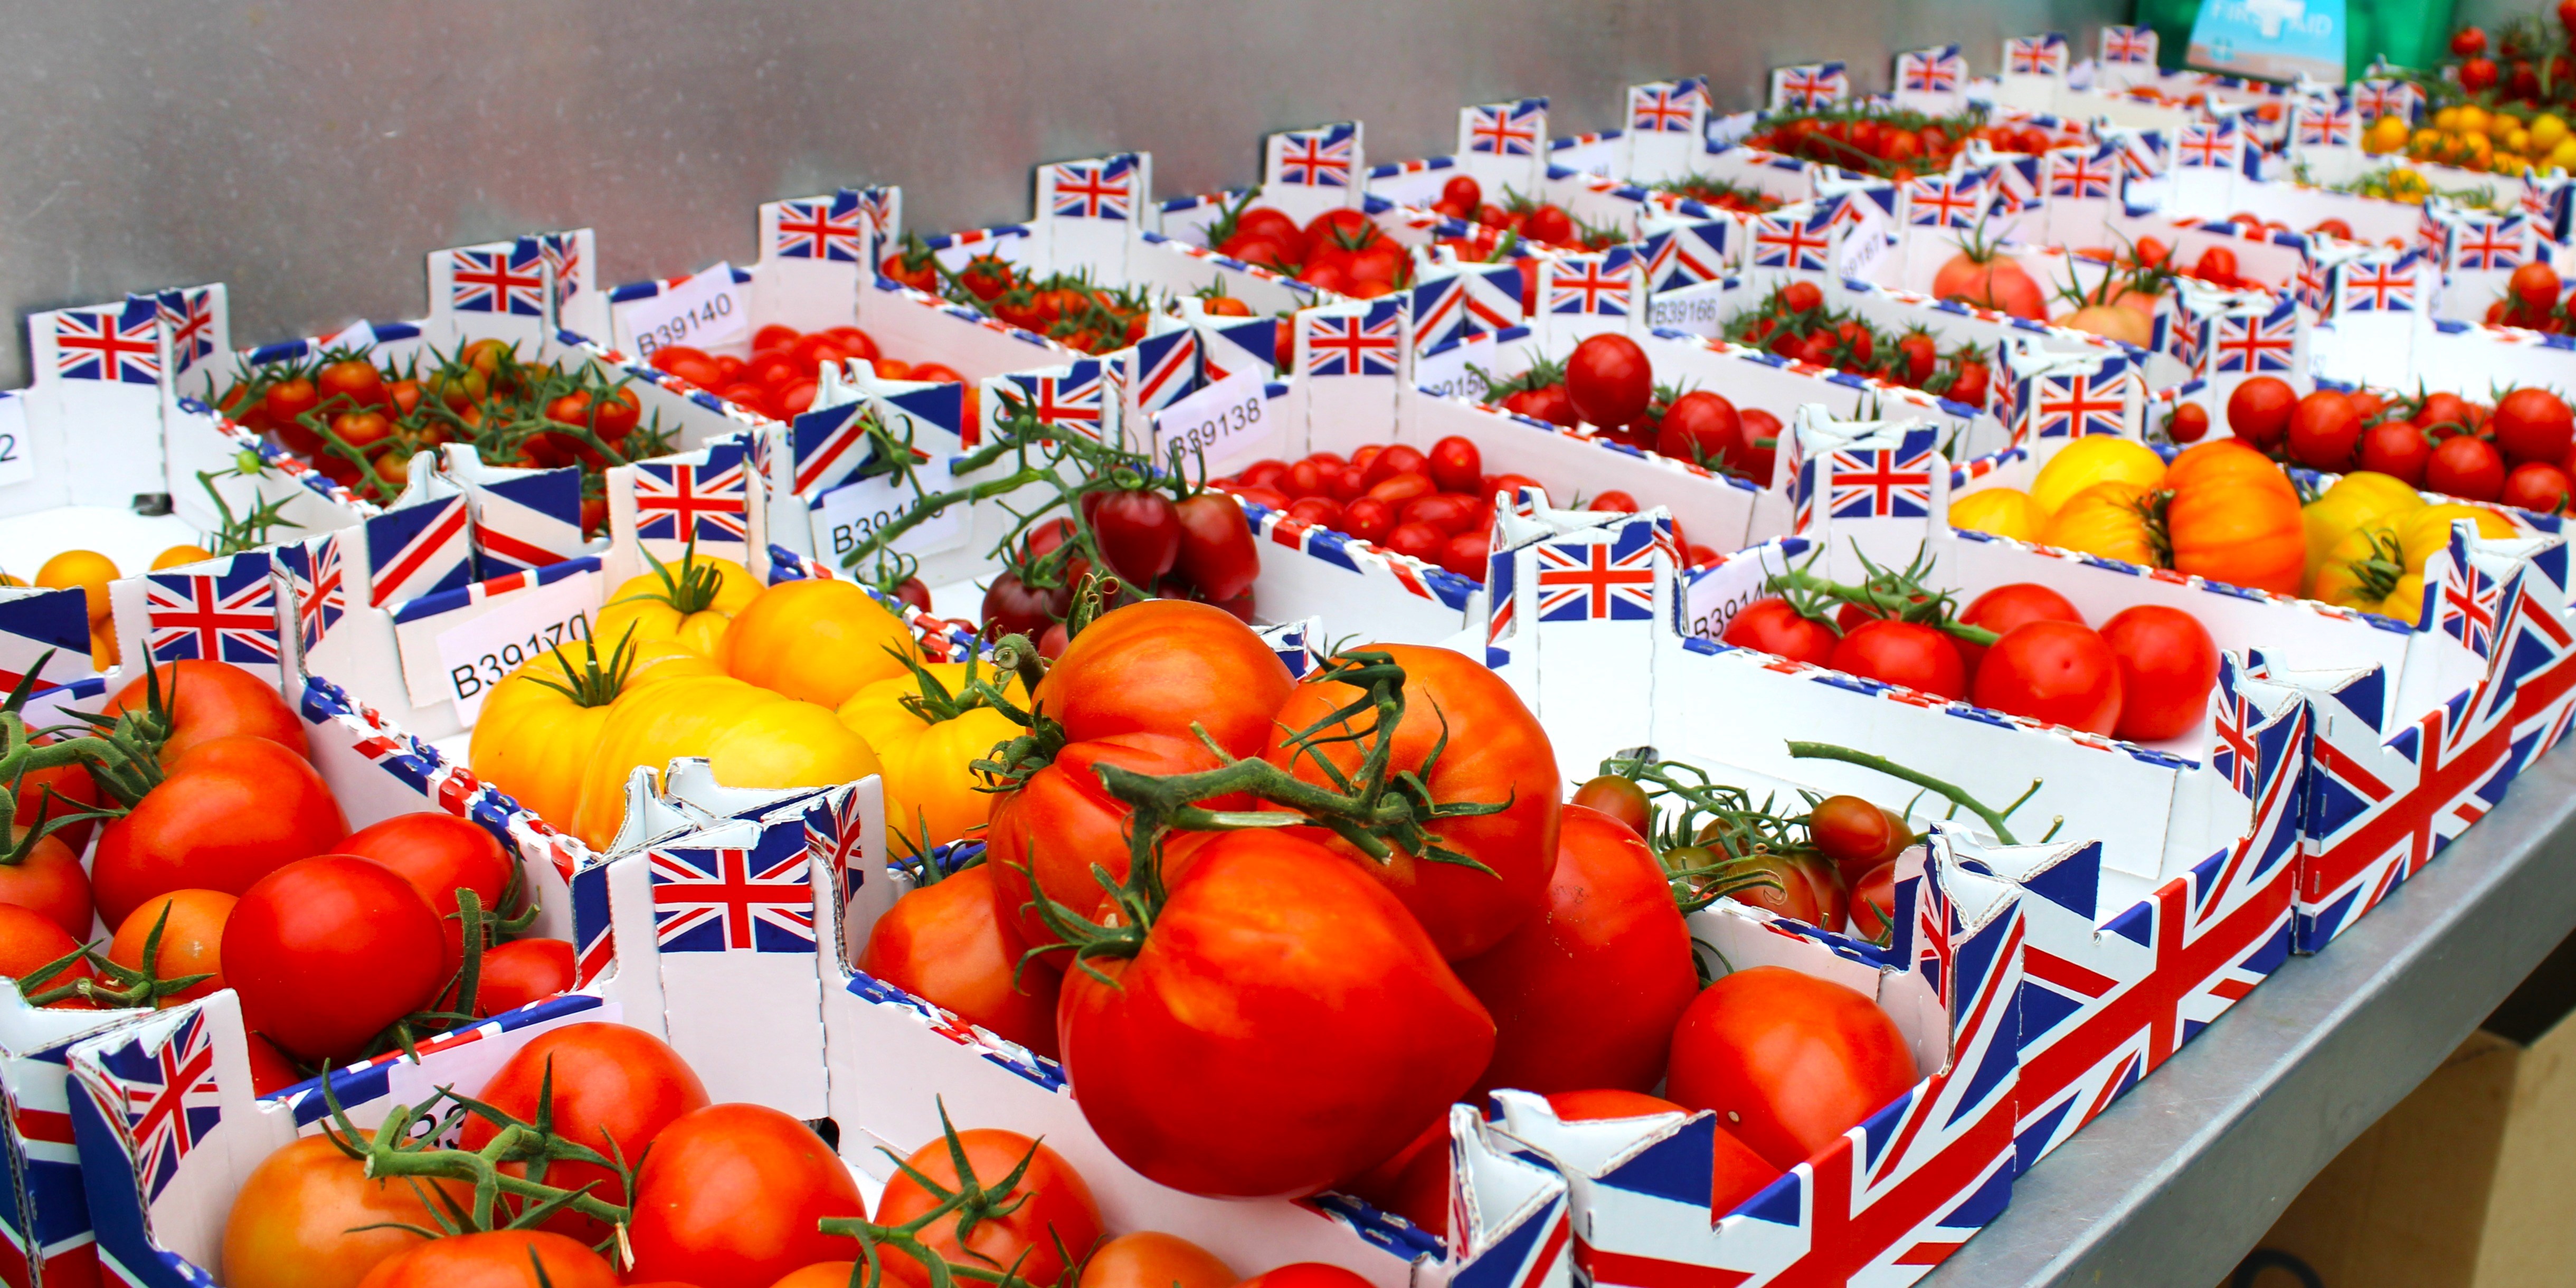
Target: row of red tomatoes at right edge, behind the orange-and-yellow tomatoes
{"points": [[2515, 450]]}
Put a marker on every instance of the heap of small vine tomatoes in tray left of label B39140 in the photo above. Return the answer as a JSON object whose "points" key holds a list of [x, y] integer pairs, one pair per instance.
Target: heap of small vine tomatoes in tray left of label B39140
{"points": [[359, 424]]}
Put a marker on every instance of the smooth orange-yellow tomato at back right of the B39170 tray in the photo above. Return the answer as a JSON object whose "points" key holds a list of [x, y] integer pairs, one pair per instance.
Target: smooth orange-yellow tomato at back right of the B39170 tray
{"points": [[818, 643]]}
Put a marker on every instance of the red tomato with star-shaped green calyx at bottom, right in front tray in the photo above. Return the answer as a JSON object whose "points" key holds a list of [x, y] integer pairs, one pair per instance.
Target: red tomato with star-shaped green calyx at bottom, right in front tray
{"points": [[1050, 1222]]}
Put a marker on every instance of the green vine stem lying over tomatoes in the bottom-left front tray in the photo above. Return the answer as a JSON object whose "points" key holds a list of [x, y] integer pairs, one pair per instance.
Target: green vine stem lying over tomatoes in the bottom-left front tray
{"points": [[509, 1173]]}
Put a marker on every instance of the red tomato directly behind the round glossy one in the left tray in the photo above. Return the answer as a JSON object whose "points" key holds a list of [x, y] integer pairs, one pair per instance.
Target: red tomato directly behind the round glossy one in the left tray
{"points": [[225, 815]]}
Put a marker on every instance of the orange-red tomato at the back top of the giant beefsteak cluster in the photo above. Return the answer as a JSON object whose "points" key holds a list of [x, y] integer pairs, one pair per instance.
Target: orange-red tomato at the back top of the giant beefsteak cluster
{"points": [[1163, 666]]}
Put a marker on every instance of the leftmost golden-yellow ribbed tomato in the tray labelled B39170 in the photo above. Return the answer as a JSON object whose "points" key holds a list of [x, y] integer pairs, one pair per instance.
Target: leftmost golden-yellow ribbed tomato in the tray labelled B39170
{"points": [[542, 723]]}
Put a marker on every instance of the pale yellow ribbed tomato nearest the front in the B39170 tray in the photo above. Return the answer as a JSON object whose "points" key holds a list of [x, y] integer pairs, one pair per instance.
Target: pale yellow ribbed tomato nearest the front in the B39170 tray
{"points": [[748, 735]]}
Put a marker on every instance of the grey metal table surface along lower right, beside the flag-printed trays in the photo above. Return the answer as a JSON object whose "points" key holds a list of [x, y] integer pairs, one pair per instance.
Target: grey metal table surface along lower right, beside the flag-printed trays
{"points": [[2178, 1181]]}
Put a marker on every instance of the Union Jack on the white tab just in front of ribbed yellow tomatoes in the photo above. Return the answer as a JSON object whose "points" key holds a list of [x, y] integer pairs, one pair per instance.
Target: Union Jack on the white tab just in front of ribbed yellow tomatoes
{"points": [[733, 900]]}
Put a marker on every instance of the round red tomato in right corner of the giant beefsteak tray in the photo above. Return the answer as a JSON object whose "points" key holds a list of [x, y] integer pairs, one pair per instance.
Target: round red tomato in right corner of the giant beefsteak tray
{"points": [[1789, 1063]]}
